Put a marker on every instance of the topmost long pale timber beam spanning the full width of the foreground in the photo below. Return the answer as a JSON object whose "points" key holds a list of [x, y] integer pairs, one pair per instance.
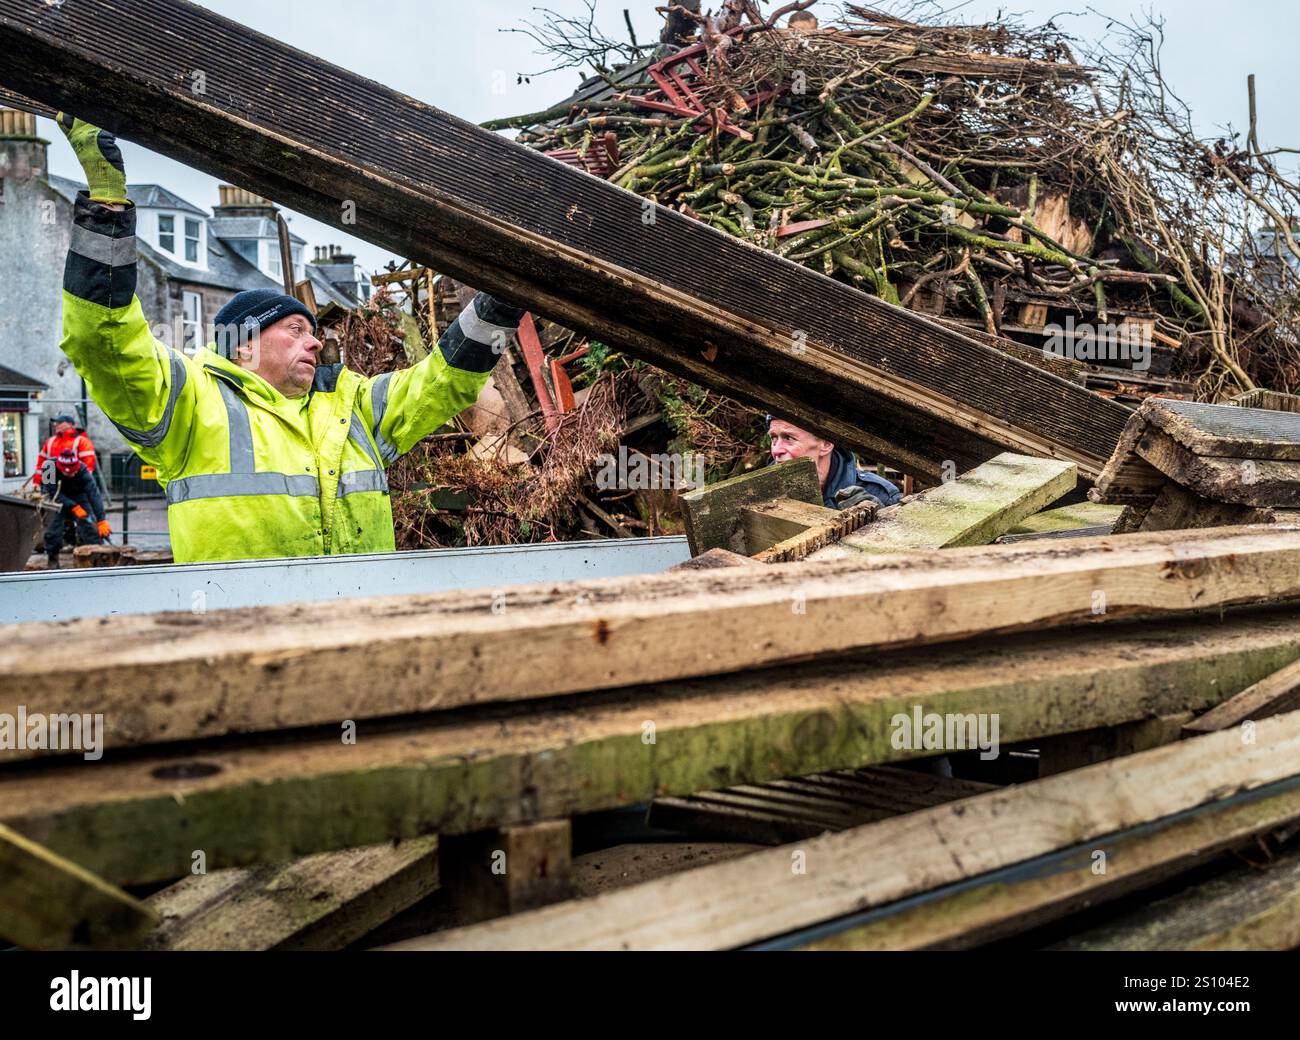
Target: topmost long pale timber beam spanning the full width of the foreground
{"points": [[177, 677]]}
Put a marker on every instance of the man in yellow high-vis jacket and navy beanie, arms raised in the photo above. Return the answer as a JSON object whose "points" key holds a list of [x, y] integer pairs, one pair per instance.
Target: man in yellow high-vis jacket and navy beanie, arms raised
{"points": [[263, 452]]}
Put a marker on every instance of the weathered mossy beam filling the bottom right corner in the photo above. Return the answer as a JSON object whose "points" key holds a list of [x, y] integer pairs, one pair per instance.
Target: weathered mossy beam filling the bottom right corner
{"points": [[1245, 909]]}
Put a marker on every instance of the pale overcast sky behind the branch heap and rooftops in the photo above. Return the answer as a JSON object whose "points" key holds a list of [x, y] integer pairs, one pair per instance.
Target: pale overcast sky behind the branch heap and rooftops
{"points": [[454, 55]]}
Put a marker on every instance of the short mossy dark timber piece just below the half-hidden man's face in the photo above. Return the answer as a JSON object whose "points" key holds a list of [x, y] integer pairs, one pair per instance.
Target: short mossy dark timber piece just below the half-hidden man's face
{"points": [[714, 515]]}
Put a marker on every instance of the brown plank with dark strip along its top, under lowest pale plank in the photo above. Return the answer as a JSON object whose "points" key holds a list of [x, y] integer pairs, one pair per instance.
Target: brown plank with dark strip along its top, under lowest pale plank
{"points": [[1029, 895]]}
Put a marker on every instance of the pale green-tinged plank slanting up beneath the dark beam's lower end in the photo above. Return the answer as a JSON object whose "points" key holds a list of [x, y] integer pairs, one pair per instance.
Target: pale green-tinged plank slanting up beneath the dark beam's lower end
{"points": [[972, 510]]}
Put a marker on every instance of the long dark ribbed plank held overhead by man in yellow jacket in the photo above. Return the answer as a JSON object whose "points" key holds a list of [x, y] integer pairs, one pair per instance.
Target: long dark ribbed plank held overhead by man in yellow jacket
{"points": [[493, 214]]}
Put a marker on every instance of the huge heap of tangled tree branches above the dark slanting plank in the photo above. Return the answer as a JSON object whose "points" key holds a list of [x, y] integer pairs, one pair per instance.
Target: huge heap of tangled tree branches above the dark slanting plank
{"points": [[980, 172]]}
